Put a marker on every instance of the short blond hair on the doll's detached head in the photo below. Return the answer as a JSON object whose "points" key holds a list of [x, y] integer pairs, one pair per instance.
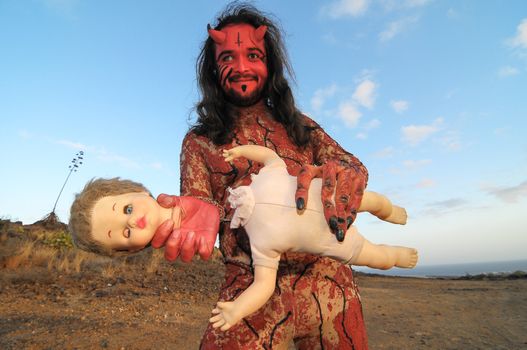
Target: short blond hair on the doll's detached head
{"points": [[82, 209]]}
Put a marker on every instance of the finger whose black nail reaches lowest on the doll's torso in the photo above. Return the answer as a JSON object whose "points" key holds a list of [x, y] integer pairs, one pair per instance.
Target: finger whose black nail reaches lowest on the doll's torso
{"points": [[342, 198]]}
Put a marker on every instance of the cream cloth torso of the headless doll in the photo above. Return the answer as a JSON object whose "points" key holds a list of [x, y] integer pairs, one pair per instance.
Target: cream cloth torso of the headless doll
{"points": [[267, 210]]}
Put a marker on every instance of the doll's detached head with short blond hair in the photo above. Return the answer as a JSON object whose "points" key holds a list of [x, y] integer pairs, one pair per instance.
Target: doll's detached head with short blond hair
{"points": [[112, 216]]}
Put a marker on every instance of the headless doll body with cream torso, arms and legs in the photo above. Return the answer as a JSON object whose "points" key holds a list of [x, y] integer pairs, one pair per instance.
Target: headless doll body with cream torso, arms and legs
{"points": [[267, 211]]}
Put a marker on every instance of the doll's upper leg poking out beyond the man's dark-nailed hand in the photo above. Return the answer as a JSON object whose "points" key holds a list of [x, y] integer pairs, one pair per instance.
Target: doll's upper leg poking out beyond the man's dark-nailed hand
{"points": [[381, 207]]}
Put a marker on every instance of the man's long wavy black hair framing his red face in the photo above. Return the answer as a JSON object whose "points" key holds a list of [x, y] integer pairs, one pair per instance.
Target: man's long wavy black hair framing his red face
{"points": [[216, 116]]}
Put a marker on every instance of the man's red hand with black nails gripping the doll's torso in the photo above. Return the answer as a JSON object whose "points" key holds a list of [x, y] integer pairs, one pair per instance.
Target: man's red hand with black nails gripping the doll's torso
{"points": [[340, 210]]}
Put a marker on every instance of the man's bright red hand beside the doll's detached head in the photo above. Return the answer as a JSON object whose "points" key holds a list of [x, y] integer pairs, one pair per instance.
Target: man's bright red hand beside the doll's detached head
{"points": [[200, 223]]}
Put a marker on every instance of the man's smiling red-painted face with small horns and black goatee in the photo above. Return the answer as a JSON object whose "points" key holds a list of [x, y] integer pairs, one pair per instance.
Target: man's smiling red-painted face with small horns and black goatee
{"points": [[241, 61]]}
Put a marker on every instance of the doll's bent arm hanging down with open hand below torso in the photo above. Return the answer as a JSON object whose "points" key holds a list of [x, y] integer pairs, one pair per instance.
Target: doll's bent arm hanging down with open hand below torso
{"points": [[228, 313]]}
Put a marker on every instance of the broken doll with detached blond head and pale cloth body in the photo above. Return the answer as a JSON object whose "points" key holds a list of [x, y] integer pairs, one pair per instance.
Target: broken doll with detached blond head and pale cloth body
{"points": [[115, 216]]}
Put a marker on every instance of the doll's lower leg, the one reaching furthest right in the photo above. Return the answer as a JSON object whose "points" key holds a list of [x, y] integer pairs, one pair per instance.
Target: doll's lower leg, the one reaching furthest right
{"points": [[384, 257]]}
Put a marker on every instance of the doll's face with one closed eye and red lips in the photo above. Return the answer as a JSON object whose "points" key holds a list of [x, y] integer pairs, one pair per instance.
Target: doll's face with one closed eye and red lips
{"points": [[125, 222]]}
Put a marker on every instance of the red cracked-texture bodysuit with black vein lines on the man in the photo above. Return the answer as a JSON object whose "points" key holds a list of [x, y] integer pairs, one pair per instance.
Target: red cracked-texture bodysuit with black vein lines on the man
{"points": [[316, 302]]}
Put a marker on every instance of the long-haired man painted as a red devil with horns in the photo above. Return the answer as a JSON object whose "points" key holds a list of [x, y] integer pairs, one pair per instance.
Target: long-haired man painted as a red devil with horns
{"points": [[247, 100]]}
